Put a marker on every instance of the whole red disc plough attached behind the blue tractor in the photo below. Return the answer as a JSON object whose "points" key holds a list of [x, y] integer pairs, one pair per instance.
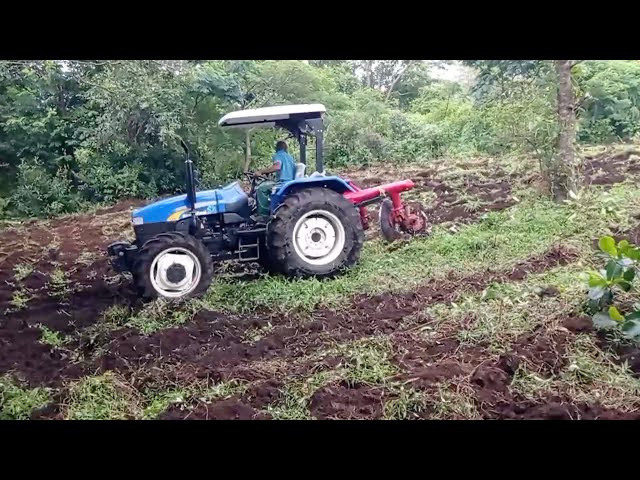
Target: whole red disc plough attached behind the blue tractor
{"points": [[396, 216]]}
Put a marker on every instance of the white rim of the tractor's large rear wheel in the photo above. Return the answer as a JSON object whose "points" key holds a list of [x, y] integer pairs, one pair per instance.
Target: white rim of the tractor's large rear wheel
{"points": [[318, 237]]}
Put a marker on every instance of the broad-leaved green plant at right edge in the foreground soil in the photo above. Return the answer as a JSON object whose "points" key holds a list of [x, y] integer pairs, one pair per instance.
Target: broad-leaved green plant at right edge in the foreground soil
{"points": [[616, 278]]}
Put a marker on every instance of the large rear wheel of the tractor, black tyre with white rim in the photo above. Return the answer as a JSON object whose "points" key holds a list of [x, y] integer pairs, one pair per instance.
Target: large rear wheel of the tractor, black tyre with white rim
{"points": [[315, 232]]}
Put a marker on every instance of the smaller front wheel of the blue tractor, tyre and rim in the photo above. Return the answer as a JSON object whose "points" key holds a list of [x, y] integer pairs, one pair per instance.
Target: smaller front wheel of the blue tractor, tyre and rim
{"points": [[172, 266]]}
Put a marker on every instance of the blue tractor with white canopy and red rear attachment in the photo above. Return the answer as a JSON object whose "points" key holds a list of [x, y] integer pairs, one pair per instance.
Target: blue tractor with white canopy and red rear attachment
{"points": [[315, 226]]}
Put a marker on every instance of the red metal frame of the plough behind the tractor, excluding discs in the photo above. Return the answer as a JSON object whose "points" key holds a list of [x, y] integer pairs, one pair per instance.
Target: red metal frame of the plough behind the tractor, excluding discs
{"points": [[401, 213]]}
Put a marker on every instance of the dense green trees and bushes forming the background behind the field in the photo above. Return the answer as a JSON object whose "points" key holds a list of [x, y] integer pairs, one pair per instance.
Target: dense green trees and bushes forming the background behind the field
{"points": [[91, 131]]}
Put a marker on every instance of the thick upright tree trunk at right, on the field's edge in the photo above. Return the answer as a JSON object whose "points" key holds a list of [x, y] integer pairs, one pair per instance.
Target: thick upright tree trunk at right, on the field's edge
{"points": [[563, 173]]}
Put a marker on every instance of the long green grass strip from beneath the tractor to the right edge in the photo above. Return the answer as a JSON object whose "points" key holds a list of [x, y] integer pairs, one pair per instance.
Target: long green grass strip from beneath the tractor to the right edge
{"points": [[498, 240]]}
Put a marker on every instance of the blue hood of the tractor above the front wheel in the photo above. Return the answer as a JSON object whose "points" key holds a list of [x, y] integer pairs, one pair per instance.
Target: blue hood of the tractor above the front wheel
{"points": [[172, 209]]}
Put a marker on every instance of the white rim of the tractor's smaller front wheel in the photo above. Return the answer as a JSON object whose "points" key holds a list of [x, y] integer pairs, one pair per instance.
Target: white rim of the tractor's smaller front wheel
{"points": [[161, 280]]}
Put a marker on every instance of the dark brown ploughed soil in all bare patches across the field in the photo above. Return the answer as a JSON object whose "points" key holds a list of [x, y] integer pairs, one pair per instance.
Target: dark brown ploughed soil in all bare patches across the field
{"points": [[214, 347]]}
